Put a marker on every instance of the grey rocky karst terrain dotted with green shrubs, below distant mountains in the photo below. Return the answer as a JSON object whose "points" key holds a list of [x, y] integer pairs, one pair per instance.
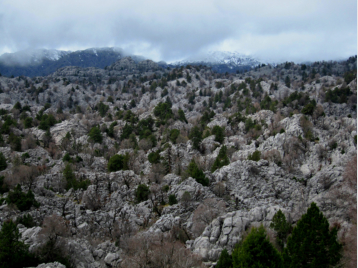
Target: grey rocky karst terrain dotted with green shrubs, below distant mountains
{"points": [[136, 164]]}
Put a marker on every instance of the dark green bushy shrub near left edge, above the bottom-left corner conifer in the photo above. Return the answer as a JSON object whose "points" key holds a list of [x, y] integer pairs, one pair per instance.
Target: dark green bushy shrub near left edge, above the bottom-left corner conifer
{"points": [[21, 200]]}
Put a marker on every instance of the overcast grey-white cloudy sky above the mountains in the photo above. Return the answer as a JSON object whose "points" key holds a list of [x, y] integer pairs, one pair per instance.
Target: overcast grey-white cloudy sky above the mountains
{"points": [[279, 30]]}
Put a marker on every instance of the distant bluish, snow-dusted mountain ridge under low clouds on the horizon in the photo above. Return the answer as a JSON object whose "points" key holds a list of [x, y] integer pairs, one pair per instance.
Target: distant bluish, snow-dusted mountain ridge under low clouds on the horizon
{"points": [[41, 62]]}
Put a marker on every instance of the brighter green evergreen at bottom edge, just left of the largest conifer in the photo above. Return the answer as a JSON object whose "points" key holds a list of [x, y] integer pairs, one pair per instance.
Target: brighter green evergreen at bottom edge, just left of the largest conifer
{"points": [[256, 251]]}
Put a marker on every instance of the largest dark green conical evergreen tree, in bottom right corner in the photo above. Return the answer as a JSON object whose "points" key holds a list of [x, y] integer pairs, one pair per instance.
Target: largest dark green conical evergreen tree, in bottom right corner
{"points": [[312, 244]]}
